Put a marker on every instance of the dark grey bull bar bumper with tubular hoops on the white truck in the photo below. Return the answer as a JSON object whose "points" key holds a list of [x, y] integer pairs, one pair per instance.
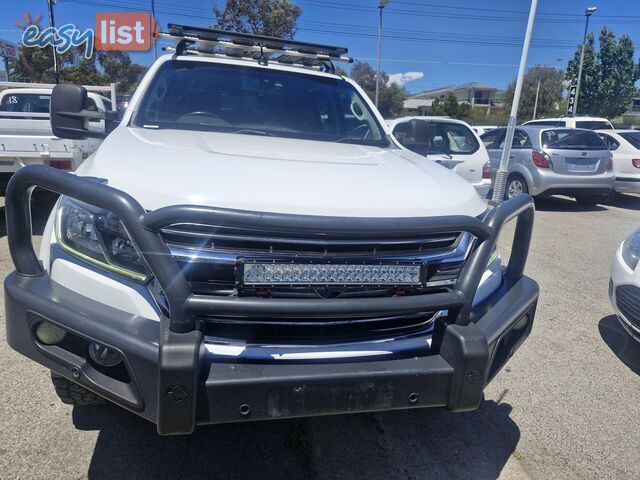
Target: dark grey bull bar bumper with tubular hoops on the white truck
{"points": [[173, 384]]}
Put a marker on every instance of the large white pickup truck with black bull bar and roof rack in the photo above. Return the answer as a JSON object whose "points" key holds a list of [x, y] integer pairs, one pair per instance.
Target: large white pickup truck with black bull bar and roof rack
{"points": [[251, 243]]}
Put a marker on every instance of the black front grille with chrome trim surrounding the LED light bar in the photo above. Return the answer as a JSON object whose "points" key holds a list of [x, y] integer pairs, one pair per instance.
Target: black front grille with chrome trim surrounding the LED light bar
{"points": [[215, 277]]}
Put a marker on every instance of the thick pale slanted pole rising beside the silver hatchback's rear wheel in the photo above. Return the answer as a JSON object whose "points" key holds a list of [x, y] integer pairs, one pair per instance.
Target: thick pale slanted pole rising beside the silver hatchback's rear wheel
{"points": [[503, 172]]}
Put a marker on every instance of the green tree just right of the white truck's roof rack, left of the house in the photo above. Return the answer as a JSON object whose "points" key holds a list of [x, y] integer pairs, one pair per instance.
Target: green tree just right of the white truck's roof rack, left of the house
{"points": [[391, 97]]}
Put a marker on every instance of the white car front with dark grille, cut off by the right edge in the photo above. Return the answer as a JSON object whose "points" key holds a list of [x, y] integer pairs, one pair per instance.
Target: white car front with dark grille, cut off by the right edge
{"points": [[624, 286]]}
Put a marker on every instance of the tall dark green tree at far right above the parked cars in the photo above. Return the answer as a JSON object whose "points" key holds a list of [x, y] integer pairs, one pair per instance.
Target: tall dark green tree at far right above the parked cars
{"points": [[608, 76]]}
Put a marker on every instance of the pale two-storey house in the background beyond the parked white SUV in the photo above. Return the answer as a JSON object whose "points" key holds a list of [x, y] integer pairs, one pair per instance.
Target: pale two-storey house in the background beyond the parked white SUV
{"points": [[474, 93]]}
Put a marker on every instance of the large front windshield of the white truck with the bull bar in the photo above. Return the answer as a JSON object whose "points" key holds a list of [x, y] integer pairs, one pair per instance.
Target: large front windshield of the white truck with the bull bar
{"points": [[190, 95]]}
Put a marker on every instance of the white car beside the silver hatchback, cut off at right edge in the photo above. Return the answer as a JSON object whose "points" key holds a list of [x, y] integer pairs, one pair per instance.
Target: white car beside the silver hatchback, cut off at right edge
{"points": [[625, 147]]}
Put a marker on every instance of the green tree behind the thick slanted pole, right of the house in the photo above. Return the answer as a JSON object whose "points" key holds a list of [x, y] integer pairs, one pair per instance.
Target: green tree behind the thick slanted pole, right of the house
{"points": [[549, 97]]}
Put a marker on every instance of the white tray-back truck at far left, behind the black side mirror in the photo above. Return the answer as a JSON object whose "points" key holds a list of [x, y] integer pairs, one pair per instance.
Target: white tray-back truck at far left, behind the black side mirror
{"points": [[25, 129]]}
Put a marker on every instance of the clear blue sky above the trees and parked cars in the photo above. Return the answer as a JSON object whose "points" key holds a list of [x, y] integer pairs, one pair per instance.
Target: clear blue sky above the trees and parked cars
{"points": [[426, 43]]}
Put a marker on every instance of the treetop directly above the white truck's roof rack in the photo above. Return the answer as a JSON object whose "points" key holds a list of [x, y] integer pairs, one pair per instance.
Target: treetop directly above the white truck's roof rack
{"points": [[275, 18]]}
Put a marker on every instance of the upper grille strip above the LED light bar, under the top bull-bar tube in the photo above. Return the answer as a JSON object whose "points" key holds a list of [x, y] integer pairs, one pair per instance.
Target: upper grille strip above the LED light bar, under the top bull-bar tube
{"points": [[257, 242]]}
